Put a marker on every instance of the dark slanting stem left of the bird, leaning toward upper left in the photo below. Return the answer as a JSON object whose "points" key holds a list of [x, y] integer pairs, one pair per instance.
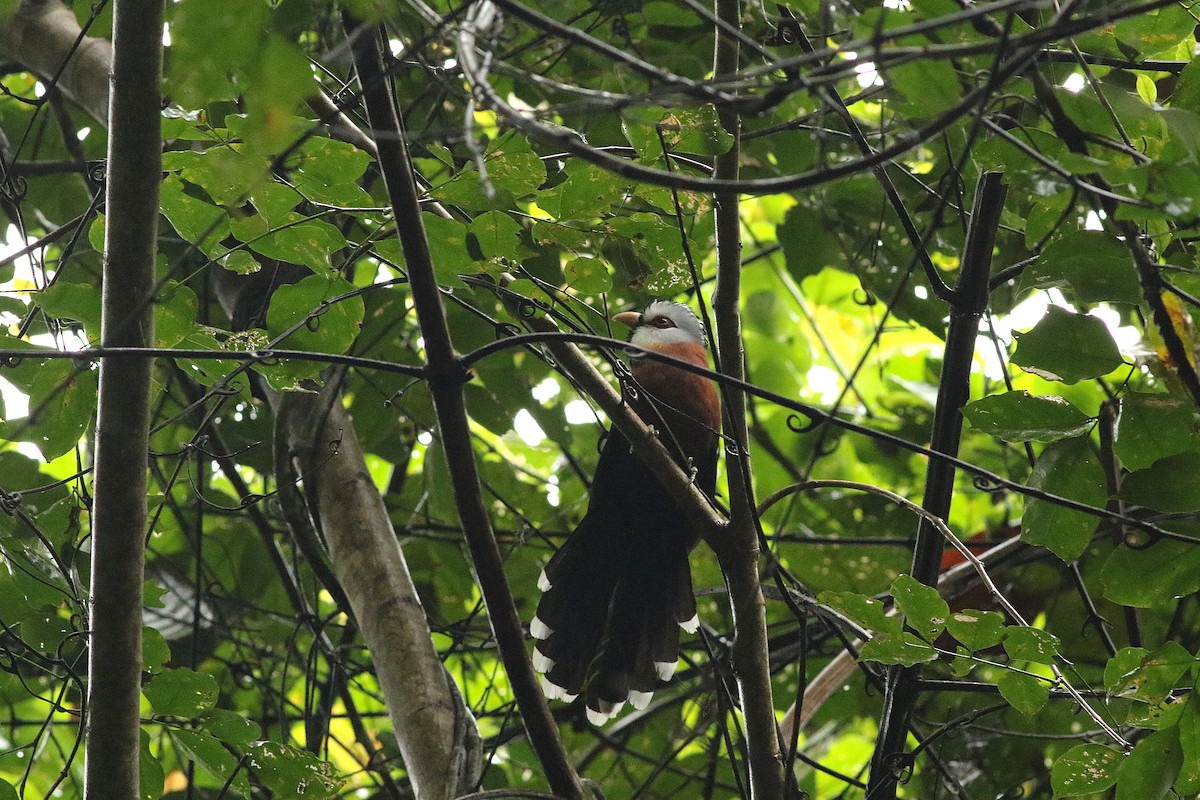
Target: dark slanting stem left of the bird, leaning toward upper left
{"points": [[447, 377]]}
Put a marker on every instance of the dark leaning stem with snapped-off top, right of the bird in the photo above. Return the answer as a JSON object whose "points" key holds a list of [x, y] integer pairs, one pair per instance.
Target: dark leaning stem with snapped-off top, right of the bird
{"points": [[969, 303]]}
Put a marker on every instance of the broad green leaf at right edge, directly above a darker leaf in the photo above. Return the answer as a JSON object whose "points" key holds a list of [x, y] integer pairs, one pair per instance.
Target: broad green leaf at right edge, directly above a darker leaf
{"points": [[1154, 426]]}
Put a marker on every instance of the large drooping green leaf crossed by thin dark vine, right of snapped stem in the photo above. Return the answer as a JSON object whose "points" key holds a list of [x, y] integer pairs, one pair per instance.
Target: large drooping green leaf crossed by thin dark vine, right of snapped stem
{"points": [[1070, 470]]}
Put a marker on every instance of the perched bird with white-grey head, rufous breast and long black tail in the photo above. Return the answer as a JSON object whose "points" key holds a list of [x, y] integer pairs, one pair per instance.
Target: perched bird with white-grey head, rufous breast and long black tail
{"points": [[619, 591]]}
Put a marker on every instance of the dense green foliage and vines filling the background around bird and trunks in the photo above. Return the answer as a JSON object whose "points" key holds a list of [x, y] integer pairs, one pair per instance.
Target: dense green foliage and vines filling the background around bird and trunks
{"points": [[567, 157]]}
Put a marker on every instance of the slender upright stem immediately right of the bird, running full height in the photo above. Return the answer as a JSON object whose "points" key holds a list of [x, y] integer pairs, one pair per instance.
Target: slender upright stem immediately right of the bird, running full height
{"points": [[739, 551]]}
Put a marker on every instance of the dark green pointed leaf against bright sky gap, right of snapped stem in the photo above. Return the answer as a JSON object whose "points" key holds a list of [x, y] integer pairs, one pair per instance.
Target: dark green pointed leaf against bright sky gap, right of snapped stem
{"points": [[1067, 347]]}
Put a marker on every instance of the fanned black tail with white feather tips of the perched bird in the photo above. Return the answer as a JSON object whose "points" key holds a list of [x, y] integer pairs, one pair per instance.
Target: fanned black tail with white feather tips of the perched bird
{"points": [[608, 625]]}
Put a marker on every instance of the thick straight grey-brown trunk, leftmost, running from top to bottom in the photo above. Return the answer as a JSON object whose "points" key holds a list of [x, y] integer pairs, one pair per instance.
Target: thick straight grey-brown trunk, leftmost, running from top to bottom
{"points": [[123, 426]]}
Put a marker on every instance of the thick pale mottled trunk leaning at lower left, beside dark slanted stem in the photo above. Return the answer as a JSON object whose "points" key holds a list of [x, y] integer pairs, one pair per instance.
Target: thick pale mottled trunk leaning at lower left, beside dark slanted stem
{"points": [[436, 733]]}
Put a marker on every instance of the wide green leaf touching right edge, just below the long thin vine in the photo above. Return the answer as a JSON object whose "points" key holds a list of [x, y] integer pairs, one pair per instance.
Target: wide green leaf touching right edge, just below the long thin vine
{"points": [[1151, 576]]}
